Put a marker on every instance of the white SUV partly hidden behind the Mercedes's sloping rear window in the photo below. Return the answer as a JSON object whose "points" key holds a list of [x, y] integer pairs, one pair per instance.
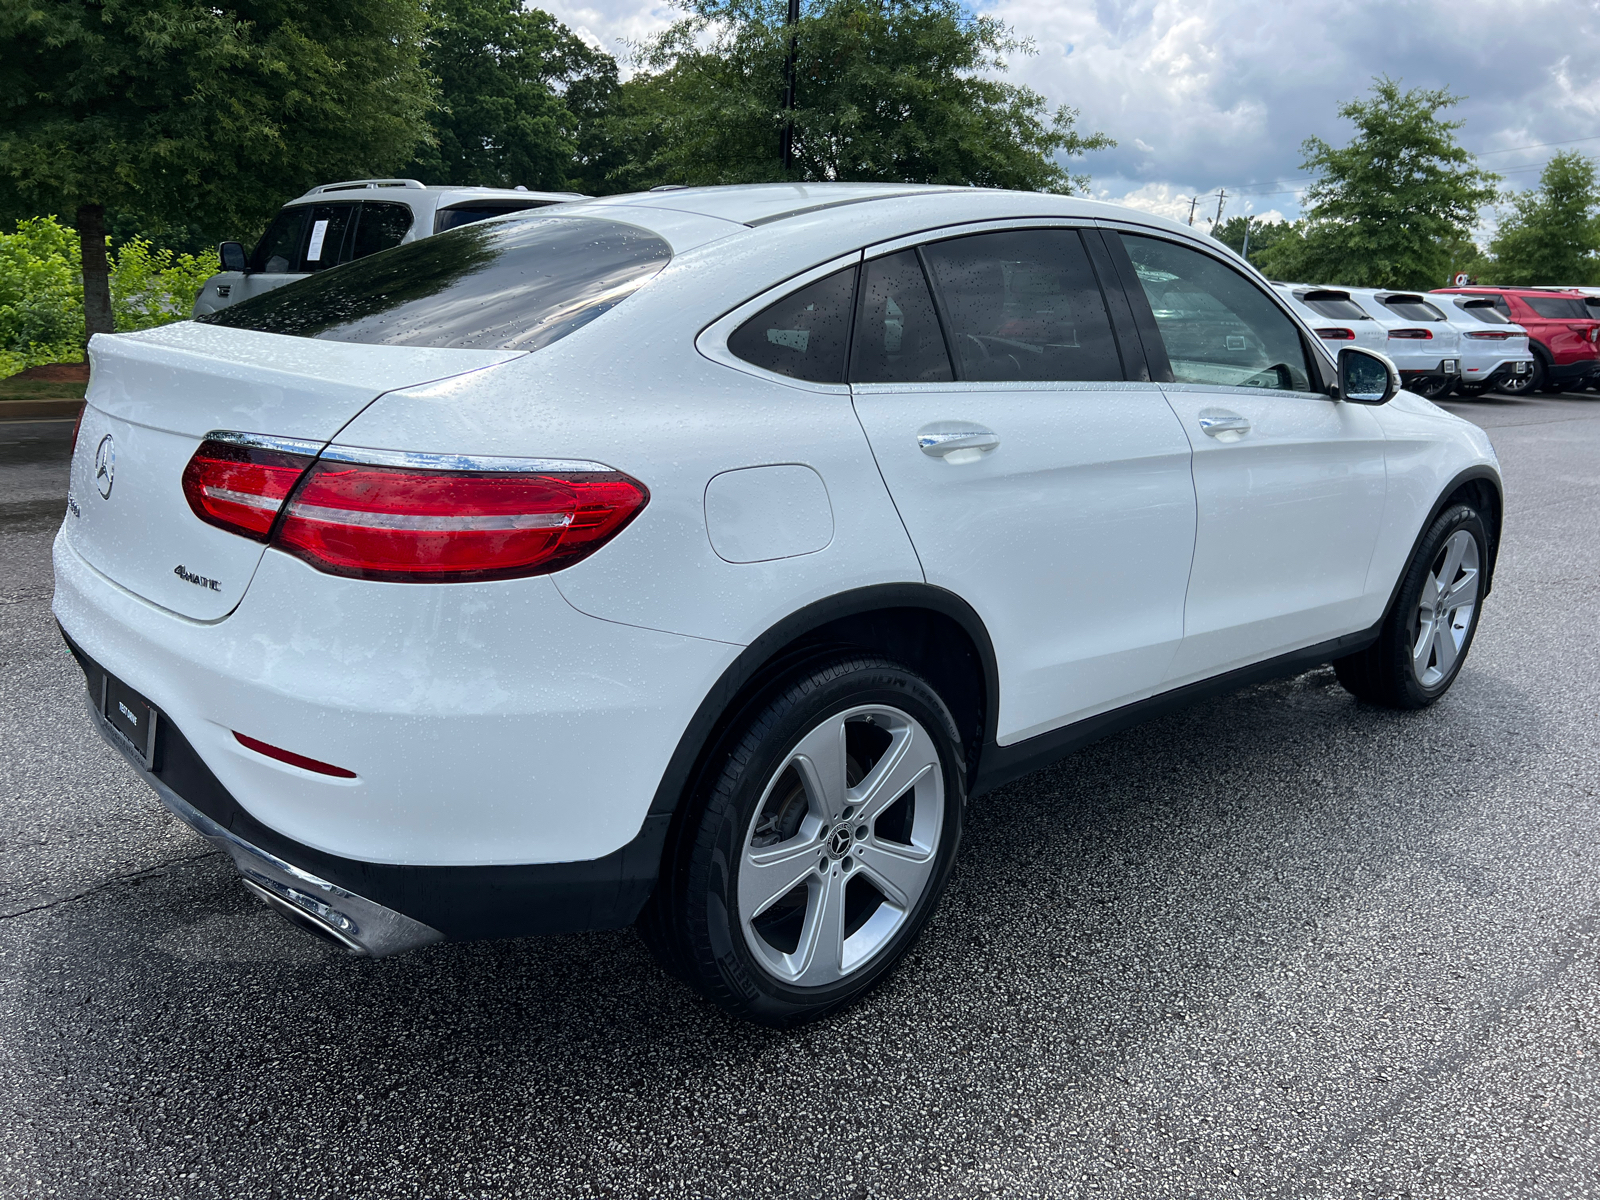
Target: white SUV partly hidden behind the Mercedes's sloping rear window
{"points": [[340, 223]]}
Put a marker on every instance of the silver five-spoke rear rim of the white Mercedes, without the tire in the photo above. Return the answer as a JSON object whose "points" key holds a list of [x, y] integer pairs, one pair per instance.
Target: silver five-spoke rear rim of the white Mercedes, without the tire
{"points": [[842, 846]]}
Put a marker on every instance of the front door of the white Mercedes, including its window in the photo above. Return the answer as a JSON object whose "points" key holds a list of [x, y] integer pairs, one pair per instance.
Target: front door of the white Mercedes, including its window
{"points": [[1289, 482]]}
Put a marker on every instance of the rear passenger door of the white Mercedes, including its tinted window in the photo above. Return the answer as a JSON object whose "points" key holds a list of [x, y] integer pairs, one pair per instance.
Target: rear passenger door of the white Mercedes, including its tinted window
{"points": [[1036, 479]]}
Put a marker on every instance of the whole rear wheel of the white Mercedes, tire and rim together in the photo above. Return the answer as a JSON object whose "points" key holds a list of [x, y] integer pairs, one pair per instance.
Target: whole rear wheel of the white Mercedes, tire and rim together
{"points": [[780, 844]]}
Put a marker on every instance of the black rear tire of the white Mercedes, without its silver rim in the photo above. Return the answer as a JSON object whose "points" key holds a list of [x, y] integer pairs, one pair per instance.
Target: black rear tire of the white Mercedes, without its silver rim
{"points": [[713, 908]]}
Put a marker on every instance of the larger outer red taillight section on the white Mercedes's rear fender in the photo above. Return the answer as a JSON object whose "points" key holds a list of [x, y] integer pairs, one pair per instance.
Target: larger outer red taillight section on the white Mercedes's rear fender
{"points": [[410, 522]]}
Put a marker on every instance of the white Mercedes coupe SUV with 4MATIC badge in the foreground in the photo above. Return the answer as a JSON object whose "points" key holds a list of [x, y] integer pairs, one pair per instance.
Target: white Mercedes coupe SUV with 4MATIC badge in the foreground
{"points": [[692, 559]]}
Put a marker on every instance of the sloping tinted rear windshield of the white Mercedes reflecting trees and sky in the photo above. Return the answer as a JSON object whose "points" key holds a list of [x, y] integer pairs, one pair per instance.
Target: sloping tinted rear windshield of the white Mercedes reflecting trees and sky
{"points": [[500, 286]]}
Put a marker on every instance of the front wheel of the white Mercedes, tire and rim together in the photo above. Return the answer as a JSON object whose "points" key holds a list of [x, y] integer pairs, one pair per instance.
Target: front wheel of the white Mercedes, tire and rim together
{"points": [[1423, 644]]}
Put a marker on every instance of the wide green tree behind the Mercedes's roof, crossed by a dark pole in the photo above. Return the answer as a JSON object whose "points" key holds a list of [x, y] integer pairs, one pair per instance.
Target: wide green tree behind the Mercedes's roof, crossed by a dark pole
{"points": [[887, 90]]}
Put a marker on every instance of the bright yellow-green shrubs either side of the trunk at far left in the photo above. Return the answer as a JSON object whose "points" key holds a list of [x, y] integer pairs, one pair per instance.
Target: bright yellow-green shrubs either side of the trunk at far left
{"points": [[42, 292]]}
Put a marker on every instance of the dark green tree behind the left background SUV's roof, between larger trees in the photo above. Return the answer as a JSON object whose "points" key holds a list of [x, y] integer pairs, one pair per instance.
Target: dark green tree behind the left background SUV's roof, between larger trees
{"points": [[519, 94]]}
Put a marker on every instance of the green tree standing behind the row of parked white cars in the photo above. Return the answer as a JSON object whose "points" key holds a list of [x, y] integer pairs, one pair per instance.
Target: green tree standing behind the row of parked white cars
{"points": [[1386, 207]]}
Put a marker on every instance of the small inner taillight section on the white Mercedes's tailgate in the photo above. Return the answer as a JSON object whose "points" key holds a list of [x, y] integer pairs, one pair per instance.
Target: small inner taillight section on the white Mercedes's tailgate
{"points": [[239, 482]]}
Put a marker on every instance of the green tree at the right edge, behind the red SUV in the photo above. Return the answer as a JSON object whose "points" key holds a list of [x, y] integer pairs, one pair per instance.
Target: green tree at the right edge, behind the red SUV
{"points": [[1553, 231]]}
